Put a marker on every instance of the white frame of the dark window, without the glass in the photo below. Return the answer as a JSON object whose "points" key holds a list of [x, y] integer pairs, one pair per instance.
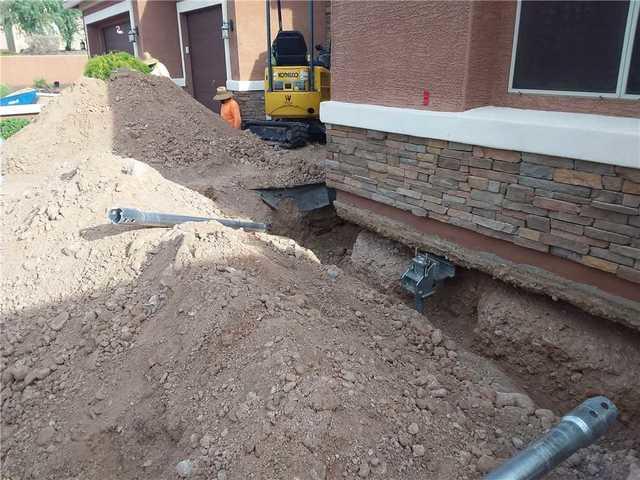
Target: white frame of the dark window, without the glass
{"points": [[623, 71]]}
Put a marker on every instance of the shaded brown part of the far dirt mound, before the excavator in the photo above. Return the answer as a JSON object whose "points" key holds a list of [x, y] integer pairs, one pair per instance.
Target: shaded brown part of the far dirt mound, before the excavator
{"points": [[161, 124]]}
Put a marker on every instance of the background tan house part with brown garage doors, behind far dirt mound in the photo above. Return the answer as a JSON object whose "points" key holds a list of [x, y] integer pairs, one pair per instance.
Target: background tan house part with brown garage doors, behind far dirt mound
{"points": [[204, 44]]}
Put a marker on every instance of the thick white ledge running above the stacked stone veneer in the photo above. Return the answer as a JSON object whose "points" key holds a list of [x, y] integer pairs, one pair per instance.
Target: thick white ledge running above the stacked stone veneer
{"points": [[596, 138]]}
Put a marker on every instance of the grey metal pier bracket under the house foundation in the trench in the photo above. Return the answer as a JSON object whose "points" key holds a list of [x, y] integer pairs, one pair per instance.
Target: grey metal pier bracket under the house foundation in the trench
{"points": [[424, 275]]}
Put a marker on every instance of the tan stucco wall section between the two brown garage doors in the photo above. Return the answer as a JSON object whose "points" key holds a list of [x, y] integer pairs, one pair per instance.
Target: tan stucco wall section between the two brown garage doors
{"points": [[158, 29]]}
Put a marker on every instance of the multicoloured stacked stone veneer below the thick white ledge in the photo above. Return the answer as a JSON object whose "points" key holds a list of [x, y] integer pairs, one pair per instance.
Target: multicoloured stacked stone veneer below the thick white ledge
{"points": [[582, 211]]}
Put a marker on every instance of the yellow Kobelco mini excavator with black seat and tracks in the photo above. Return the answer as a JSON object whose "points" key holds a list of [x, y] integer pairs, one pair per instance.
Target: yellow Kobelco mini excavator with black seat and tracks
{"points": [[295, 82]]}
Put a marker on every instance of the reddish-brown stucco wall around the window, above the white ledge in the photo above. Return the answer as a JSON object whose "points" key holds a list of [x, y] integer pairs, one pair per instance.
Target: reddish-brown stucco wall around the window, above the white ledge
{"points": [[387, 53]]}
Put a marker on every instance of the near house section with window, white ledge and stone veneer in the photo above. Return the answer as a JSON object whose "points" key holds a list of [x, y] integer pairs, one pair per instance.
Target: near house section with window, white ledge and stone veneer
{"points": [[505, 135]]}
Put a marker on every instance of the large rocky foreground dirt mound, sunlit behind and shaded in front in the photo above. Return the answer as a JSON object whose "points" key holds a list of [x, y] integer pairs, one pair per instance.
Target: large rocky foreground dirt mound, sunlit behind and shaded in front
{"points": [[204, 352]]}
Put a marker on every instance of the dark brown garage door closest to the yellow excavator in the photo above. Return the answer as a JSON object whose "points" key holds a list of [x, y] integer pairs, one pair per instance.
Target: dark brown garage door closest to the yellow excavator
{"points": [[206, 49]]}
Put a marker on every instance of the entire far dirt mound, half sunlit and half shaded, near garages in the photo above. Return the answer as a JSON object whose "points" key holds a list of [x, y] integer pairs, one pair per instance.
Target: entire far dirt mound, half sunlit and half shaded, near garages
{"points": [[152, 120]]}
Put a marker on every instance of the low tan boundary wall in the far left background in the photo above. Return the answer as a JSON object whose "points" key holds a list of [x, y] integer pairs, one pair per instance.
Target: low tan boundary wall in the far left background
{"points": [[22, 70]]}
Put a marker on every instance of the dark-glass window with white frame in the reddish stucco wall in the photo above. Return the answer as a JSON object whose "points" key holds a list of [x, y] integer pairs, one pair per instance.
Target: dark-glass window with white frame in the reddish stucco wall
{"points": [[587, 48]]}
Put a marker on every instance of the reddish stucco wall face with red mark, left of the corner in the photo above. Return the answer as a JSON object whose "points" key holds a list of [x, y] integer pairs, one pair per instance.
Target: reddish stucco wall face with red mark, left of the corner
{"points": [[388, 53]]}
